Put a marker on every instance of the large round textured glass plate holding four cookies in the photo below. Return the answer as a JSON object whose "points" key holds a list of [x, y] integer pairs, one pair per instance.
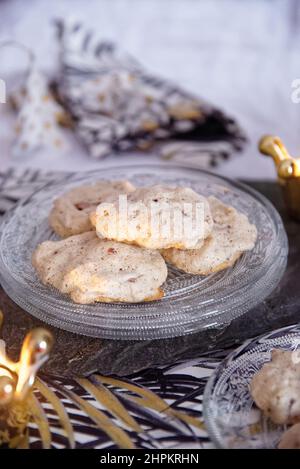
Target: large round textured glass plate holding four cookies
{"points": [[191, 302]]}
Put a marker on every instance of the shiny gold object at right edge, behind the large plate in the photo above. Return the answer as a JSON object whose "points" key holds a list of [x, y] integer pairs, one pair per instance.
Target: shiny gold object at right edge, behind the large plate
{"points": [[288, 170]]}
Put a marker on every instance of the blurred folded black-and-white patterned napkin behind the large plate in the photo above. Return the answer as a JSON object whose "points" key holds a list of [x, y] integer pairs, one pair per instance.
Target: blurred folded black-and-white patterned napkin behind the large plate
{"points": [[116, 105]]}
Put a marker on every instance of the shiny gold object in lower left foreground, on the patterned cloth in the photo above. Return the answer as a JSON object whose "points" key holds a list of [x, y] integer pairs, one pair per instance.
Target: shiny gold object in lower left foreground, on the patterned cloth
{"points": [[16, 382]]}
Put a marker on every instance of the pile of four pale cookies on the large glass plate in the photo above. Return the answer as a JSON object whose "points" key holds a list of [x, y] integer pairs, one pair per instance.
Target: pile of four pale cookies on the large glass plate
{"points": [[105, 256]]}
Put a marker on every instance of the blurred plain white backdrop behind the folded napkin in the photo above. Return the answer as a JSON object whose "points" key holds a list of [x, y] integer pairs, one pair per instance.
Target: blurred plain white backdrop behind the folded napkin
{"points": [[241, 55]]}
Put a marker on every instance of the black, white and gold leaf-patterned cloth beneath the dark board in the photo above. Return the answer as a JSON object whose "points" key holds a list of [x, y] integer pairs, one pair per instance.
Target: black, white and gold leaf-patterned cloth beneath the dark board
{"points": [[173, 418]]}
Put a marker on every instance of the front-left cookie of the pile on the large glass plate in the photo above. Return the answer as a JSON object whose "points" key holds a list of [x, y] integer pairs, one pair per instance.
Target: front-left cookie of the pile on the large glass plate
{"points": [[90, 270]]}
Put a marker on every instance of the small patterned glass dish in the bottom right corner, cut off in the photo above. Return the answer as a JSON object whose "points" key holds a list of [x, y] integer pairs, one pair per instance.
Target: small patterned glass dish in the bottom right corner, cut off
{"points": [[231, 417]]}
